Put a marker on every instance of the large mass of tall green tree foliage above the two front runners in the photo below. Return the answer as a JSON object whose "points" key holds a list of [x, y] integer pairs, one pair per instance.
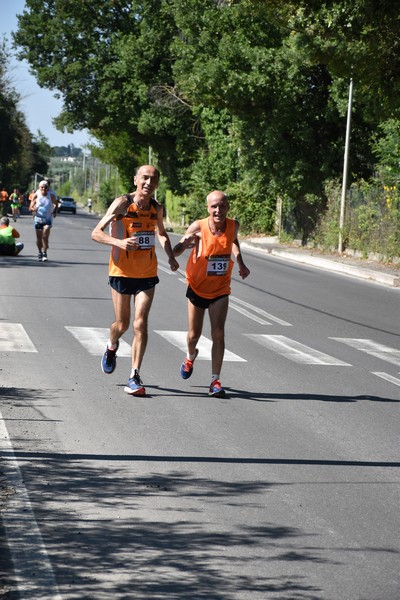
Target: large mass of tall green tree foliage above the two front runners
{"points": [[249, 96]]}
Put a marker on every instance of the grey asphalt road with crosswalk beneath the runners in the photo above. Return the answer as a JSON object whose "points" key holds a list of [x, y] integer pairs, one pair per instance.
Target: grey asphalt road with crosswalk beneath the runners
{"points": [[286, 489]]}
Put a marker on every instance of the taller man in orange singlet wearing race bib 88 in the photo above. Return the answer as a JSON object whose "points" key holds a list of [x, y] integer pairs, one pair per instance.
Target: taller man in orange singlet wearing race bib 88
{"points": [[133, 220]]}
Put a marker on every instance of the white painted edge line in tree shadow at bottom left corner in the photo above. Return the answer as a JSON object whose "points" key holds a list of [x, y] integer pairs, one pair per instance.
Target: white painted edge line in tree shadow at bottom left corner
{"points": [[27, 549]]}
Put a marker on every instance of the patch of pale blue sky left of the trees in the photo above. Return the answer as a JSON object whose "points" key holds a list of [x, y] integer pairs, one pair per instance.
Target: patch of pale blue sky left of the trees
{"points": [[38, 105]]}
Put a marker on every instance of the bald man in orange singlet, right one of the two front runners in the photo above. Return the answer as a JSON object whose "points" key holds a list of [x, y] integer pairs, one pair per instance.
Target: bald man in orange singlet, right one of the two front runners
{"points": [[208, 273]]}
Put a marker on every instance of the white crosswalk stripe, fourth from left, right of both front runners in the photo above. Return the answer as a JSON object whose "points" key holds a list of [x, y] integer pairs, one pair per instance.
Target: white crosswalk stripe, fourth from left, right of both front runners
{"points": [[295, 351]]}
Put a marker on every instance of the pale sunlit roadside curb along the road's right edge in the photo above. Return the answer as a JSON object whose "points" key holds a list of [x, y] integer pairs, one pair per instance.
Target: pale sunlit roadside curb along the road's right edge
{"points": [[325, 263]]}
